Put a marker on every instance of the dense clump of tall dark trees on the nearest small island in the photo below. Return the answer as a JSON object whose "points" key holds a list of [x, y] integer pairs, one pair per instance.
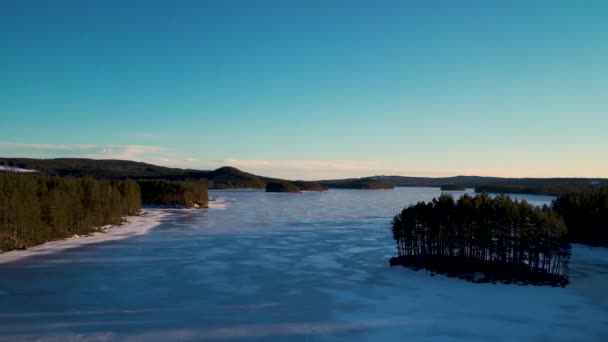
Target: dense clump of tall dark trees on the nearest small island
{"points": [[512, 240]]}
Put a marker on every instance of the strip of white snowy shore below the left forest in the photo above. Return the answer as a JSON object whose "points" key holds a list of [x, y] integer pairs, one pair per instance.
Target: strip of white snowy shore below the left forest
{"points": [[134, 225]]}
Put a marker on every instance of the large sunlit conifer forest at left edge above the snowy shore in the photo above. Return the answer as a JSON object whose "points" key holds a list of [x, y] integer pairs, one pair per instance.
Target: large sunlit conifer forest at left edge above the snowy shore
{"points": [[35, 208]]}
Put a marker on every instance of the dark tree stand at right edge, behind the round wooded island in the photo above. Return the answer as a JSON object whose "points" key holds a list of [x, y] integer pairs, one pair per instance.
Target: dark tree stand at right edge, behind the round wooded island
{"points": [[586, 216]]}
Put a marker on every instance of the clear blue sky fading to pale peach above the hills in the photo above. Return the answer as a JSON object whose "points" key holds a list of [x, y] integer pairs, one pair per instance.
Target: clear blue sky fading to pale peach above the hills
{"points": [[311, 89]]}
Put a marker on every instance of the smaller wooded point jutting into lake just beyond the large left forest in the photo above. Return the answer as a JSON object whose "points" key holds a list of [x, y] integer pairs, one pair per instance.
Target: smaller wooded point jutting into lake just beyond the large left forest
{"points": [[189, 194]]}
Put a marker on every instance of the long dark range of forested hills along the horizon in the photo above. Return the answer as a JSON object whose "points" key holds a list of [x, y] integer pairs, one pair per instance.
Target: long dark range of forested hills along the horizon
{"points": [[232, 178]]}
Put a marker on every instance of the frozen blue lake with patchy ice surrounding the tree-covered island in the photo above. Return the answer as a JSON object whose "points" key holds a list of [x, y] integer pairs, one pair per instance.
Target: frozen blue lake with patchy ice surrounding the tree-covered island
{"points": [[274, 267]]}
